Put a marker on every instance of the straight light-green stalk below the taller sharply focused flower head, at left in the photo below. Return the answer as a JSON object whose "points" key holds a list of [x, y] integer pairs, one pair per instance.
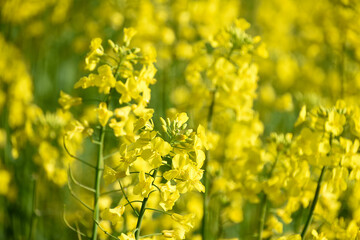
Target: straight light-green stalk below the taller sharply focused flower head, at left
{"points": [[98, 173]]}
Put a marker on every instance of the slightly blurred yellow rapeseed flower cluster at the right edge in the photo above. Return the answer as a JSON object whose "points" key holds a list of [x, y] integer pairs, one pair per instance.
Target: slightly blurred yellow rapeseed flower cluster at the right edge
{"points": [[315, 169]]}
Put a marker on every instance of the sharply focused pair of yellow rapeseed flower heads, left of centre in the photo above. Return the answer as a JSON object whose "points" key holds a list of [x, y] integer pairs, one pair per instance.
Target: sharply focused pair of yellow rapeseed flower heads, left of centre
{"points": [[150, 168]]}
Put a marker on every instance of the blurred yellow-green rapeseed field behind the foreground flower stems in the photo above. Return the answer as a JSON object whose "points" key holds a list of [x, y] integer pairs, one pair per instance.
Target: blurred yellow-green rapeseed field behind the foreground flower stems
{"points": [[312, 57]]}
